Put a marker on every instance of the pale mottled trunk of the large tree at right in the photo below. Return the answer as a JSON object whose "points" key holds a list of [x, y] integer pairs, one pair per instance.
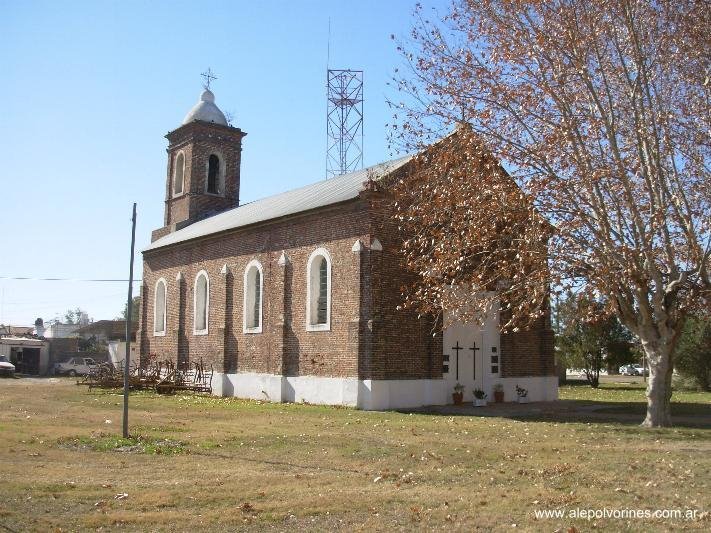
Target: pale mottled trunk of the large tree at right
{"points": [[658, 386]]}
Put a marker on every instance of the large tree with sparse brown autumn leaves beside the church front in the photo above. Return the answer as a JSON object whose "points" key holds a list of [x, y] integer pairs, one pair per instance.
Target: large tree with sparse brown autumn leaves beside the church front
{"points": [[600, 111]]}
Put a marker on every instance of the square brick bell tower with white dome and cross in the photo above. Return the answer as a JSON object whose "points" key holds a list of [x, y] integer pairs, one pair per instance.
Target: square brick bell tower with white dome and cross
{"points": [[203, 174]]}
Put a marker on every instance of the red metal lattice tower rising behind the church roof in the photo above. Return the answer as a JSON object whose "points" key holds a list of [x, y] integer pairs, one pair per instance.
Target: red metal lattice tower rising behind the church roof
{"points": [[344, 122]]}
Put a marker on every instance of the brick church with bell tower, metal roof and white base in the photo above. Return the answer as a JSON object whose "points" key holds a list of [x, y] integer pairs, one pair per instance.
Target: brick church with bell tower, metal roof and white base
{"points": [[294, 297]]}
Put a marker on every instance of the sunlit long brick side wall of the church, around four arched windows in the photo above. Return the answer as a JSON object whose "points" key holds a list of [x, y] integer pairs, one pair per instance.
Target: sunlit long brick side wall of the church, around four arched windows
{"points": [[284, 346]]}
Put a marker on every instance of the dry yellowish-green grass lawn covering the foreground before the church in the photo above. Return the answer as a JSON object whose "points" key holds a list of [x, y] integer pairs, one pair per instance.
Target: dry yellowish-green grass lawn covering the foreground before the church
{"points": [[201, 463]]}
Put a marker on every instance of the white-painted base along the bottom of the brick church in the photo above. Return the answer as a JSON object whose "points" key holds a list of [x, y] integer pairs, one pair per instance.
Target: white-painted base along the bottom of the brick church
{"points": [[370, 395]]}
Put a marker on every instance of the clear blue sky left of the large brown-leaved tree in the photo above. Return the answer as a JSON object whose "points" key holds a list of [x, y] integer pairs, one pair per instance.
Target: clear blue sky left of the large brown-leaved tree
{"points": [[90, 89]]}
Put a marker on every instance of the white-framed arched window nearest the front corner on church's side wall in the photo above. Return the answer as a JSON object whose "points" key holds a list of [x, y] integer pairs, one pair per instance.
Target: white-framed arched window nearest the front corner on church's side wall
{"points": [[318, 287]]}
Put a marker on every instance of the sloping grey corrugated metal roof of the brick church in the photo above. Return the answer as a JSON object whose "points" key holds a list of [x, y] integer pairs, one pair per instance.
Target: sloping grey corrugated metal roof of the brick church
{"points": [[320, 194]]}
